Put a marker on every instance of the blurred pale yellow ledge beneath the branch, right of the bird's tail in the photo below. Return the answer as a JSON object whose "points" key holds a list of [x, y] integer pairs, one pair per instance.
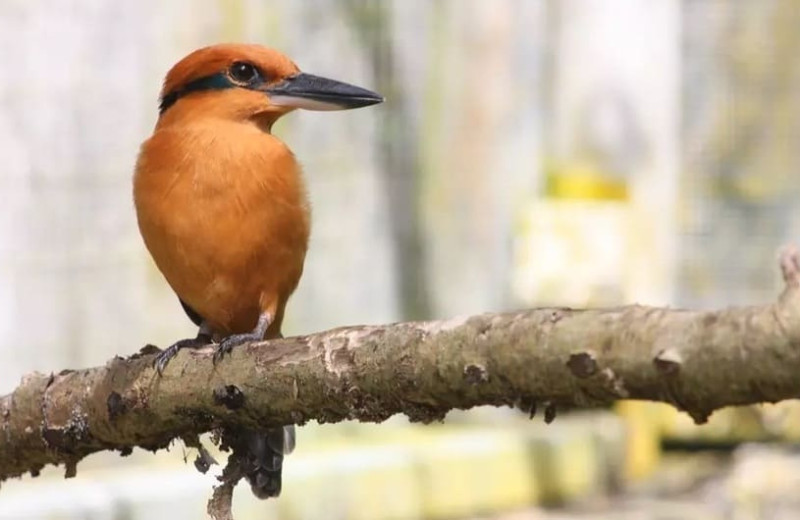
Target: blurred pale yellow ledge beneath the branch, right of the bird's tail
{"points": [[461, 469]]}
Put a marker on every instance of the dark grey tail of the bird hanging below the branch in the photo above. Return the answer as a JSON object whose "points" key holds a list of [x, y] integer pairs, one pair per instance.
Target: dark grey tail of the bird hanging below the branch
{"points": [[264, 459]]}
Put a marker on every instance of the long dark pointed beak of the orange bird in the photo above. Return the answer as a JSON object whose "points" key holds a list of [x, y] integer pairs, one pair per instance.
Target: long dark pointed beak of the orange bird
{"points": [[316, 93]]}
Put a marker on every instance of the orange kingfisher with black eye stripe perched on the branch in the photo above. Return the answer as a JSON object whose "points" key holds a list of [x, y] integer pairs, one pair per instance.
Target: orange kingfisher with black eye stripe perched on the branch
{"points": [[222, 206]]}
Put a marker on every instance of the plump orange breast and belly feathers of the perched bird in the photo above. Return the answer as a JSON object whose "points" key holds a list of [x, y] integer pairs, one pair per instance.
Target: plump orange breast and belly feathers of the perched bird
{"points": [[223, 211]]}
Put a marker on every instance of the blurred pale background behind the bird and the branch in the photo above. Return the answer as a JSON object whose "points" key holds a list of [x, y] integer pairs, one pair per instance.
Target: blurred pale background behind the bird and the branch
{"points": [[530, 152]]}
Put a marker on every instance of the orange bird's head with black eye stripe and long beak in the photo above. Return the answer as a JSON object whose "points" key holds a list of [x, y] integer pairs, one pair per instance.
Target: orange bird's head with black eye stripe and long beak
{"points": [[251, 83]]}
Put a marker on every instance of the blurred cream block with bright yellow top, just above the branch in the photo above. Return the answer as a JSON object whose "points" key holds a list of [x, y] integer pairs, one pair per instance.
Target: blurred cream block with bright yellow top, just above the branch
{"points": [[577, 244]]}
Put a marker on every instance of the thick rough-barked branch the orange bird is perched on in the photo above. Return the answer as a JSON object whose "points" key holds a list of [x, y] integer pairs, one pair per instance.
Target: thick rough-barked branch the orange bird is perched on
{"points": [[697, 361]]}
